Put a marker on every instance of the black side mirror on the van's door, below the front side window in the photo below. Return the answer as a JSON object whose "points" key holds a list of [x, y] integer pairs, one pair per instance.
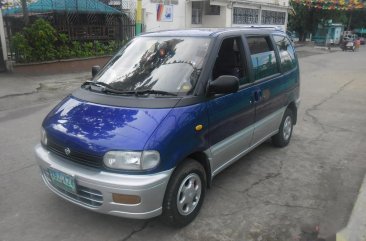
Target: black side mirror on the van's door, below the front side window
{"points": [[224, 84]]}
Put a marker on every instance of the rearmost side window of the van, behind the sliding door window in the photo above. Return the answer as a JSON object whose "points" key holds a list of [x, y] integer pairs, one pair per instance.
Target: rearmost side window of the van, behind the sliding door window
{"points": [[286, 51]]}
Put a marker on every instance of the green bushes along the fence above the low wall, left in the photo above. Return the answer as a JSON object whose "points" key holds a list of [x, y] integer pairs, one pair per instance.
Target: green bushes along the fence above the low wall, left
{"points": [[41, 42]]}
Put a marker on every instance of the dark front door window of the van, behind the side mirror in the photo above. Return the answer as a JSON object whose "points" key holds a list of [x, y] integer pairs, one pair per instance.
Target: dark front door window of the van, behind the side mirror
{"points": [[231, 60]]}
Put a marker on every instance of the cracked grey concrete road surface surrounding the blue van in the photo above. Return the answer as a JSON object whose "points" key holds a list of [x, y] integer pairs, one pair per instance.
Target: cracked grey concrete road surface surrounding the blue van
{"points": [[270, 194]]}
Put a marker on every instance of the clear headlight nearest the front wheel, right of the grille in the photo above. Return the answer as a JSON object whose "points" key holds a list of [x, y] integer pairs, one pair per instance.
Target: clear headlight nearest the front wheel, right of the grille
{"points": [[131, 160]]}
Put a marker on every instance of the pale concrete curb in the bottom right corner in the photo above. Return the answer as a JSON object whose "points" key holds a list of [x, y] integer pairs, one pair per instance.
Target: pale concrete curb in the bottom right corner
{"points": [[356, 227]]}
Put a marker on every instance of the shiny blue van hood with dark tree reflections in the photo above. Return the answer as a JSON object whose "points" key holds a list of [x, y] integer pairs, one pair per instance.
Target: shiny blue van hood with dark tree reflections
{"points": [[96, 129]]}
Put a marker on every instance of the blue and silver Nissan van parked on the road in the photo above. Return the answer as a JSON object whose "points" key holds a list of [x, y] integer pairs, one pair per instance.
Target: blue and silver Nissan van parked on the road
{"points": [[172, 109]]}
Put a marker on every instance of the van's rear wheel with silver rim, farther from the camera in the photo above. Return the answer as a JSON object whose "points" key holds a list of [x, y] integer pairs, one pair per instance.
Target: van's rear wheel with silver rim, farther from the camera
{"points": [[283, 137]]}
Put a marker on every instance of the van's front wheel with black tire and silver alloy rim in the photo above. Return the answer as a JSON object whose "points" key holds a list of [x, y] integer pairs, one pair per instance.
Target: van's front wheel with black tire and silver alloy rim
{"points": [[188, 183]]}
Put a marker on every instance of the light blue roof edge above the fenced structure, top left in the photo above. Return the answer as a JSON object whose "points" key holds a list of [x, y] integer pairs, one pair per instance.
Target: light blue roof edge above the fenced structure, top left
{"points": [[74, 6]]}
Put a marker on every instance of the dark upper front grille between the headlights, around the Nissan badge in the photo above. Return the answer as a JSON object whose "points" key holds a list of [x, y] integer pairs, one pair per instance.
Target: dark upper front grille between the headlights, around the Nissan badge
{"points": [[75, 156]]}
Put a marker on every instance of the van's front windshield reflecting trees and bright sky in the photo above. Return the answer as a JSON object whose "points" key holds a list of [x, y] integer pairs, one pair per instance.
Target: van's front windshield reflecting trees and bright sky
{"points": [[170, 64]]}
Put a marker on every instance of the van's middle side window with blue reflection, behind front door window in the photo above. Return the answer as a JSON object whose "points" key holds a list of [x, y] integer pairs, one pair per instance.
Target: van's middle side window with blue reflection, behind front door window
{"points": [[263, 56]]}
